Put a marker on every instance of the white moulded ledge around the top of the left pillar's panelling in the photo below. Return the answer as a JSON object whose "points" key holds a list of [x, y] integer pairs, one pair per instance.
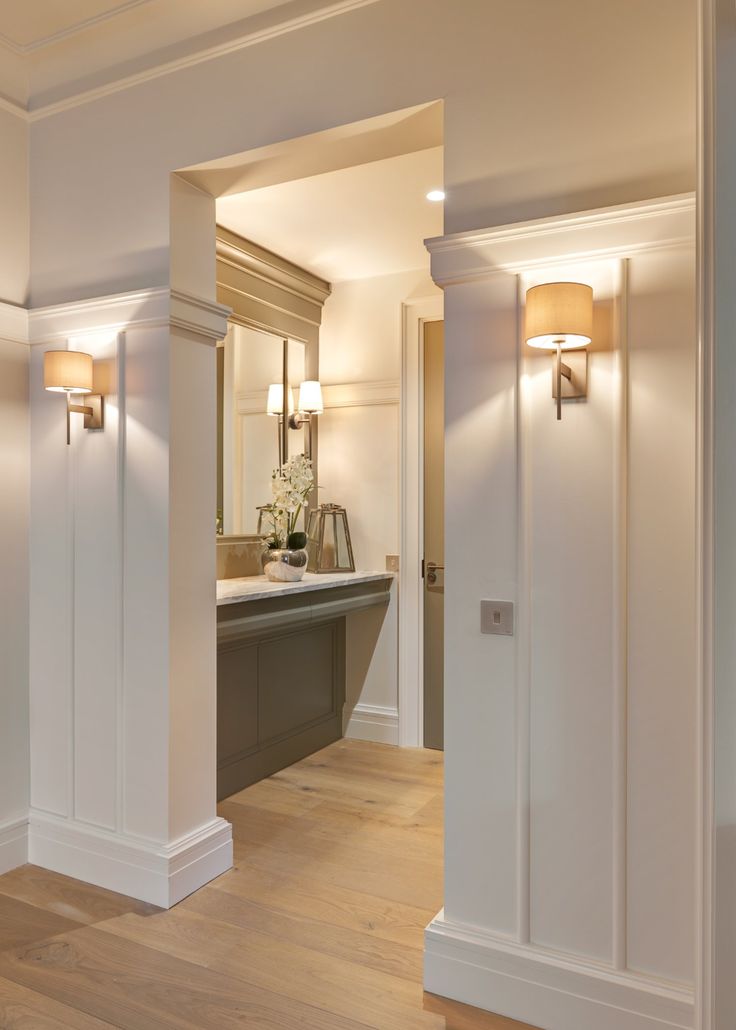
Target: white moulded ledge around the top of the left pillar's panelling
{"points": [[139, 310]]}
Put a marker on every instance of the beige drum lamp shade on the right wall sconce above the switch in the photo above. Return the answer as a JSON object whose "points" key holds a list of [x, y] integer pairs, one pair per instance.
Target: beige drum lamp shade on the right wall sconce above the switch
{"points": [[559, 313]]}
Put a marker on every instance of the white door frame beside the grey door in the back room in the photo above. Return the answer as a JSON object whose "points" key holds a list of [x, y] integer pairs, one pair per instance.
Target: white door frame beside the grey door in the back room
{"points": [[411, 601]]}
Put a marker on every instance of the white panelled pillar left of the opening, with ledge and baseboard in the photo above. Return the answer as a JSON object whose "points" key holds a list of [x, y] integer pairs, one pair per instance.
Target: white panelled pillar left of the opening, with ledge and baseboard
{"points": [[123, 630]]}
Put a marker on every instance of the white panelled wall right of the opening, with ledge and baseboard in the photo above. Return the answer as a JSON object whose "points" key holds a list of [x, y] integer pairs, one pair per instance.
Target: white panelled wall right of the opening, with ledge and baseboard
{"points": [[571, 865]]}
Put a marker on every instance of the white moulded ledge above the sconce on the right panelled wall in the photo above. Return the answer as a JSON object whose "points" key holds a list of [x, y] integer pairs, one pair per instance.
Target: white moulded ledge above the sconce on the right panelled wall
{"points": [[610, 232]]}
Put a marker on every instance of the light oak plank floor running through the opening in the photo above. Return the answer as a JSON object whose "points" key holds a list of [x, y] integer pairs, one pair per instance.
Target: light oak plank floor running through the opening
{"points": [[338, 869]]}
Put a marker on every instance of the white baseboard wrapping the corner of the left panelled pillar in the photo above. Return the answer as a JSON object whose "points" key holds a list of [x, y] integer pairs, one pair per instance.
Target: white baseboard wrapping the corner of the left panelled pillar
{"points": [[161, 875]]}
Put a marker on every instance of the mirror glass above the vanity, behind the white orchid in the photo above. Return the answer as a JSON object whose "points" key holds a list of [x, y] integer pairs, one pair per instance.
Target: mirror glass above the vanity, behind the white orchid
{"points": [[250, 440]]}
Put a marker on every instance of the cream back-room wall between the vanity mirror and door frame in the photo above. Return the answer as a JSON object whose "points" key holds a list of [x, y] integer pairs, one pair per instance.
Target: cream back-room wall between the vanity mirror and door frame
{"points": [[361, 368]]}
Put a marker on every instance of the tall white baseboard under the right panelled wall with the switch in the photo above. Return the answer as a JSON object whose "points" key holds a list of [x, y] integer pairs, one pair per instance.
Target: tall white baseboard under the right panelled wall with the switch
{"points": [[546, 989]]}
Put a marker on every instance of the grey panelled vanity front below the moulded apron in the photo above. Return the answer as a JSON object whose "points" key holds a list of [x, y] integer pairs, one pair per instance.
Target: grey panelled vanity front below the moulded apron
{"points": [[279, 699]]}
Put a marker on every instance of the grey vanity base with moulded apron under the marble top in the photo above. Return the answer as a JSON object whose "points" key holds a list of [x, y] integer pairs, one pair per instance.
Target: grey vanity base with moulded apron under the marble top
{"points": [[282, 679]]}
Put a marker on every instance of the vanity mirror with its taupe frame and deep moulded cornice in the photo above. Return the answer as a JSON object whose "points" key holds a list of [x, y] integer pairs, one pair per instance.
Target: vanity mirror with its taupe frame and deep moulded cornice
{"points": [[273, 341]]}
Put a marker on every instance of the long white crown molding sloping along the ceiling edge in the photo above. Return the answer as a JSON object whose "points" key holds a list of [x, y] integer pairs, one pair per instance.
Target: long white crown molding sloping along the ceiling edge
{"points": [[253, 39]]}
